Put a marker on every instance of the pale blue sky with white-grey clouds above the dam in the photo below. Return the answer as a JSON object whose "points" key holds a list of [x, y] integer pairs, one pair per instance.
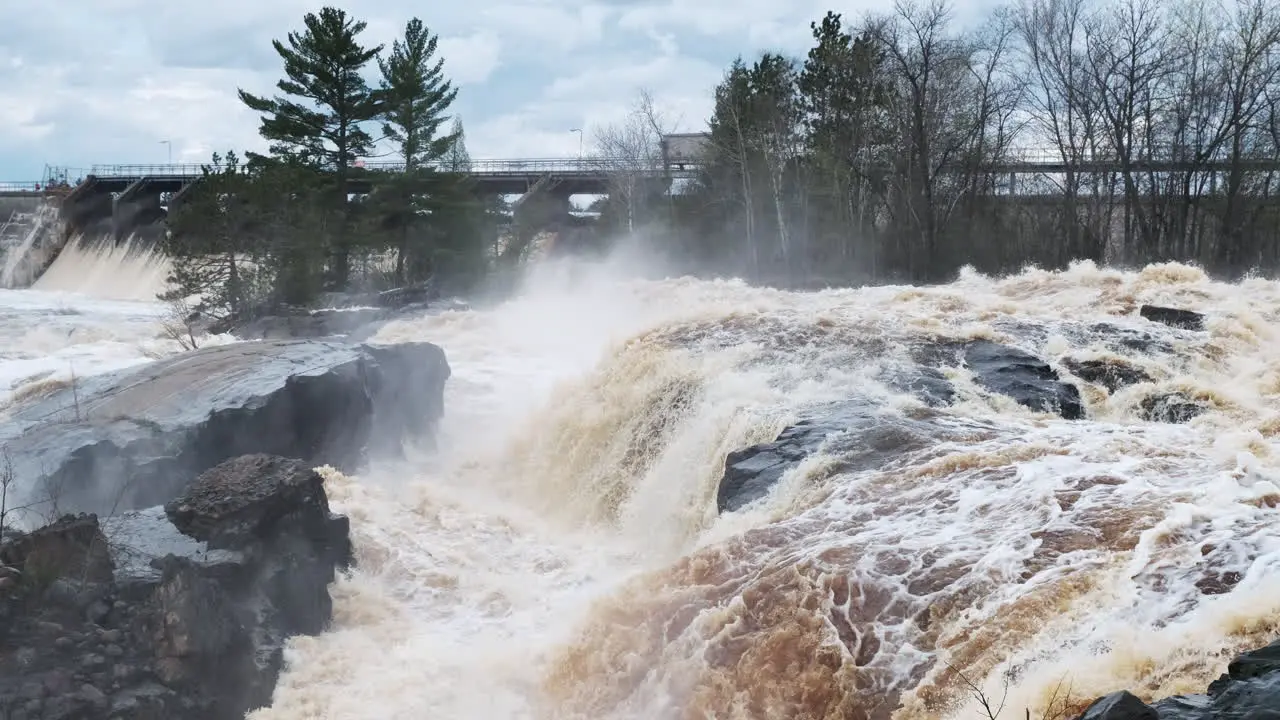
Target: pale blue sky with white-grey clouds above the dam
{"points": [[109, 81]]}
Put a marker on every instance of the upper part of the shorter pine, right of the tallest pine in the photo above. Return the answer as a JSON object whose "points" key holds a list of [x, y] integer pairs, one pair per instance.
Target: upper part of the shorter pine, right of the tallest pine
{"points": [[417, 98]]}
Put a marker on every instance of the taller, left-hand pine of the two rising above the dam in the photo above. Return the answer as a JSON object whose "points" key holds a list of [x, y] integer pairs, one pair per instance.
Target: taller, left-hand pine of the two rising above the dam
{"points": [[326, 101]]}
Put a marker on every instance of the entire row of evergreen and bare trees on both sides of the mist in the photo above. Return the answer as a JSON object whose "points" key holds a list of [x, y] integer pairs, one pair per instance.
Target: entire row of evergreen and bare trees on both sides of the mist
{"points": [[898, 151]]}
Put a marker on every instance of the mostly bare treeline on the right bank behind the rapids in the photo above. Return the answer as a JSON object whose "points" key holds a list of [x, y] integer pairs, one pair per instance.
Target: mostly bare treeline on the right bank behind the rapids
{"points": [[890, 152]]}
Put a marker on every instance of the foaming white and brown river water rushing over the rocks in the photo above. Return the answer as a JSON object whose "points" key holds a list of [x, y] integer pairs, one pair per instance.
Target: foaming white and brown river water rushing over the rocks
{"points": [[561, 557]]}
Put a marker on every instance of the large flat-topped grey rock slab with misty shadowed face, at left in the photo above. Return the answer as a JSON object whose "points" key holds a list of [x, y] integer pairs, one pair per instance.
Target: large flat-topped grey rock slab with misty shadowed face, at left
{"points": [[138, 439]]}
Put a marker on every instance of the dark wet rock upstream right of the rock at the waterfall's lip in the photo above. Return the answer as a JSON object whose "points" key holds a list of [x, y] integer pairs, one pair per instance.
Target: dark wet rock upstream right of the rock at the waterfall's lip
{"points": [[1023, 377]]}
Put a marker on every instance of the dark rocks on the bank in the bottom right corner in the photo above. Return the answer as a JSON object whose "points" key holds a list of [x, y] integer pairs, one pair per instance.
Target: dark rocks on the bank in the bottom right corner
{"points": [[1250, 689]]}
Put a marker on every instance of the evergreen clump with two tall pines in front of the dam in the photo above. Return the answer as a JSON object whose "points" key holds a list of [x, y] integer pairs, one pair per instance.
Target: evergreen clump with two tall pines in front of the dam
{"points": [[282, 229]]}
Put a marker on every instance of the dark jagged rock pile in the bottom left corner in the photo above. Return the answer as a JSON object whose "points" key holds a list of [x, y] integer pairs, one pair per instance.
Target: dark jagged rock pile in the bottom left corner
{"points": [[184, 626]]}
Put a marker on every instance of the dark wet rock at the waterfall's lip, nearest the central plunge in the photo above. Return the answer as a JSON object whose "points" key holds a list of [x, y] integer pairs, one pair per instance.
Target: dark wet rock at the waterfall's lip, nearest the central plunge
{"points": [[862, 436]]}
